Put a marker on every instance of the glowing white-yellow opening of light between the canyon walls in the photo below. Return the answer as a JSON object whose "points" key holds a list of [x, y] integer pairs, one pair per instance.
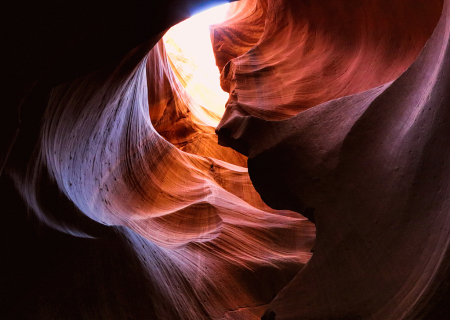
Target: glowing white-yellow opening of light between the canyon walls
{"points": [[188, 45]]}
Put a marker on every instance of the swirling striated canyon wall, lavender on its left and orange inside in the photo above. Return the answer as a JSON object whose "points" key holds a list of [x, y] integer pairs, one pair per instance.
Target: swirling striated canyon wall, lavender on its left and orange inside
{"points": [[204, 234]]}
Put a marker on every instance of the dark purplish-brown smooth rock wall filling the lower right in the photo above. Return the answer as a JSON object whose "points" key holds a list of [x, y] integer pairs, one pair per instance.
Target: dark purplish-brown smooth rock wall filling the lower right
{"points": [[370, 170]]}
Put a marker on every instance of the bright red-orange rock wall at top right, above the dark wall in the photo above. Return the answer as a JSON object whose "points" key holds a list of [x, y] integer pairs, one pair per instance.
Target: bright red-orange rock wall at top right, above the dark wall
{"points": [[311, 52]]}
